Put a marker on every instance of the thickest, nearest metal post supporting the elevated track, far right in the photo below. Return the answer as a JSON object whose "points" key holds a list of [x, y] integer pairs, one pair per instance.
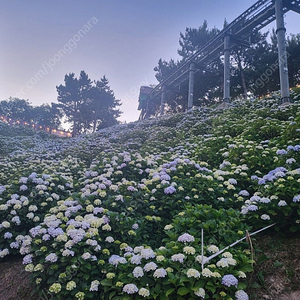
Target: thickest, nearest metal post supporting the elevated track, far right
{"points": [[282, 54]]}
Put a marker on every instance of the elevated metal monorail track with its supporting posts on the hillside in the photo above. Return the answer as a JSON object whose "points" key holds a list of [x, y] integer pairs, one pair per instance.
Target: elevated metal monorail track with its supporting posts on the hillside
{"points": [[238, 32]]}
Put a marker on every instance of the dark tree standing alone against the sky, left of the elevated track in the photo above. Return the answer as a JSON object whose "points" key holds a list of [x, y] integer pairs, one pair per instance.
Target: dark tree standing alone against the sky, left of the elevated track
{"points": [[88, 105]]}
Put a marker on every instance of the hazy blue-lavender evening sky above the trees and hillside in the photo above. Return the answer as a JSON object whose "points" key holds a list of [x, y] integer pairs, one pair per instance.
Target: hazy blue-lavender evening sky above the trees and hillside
{"points": [[42, 41]]}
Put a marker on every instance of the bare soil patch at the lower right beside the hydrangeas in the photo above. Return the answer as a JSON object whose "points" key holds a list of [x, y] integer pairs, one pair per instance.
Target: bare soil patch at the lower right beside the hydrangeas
{"points": [[276, 274]]}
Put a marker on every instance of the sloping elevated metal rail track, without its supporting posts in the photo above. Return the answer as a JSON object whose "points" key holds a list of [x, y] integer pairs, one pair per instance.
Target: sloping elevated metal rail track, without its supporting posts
{"points": [[253, 19]]}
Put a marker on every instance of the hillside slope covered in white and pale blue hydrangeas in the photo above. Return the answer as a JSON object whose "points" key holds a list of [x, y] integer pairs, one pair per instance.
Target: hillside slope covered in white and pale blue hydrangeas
{"points": [[118, 214]]}
